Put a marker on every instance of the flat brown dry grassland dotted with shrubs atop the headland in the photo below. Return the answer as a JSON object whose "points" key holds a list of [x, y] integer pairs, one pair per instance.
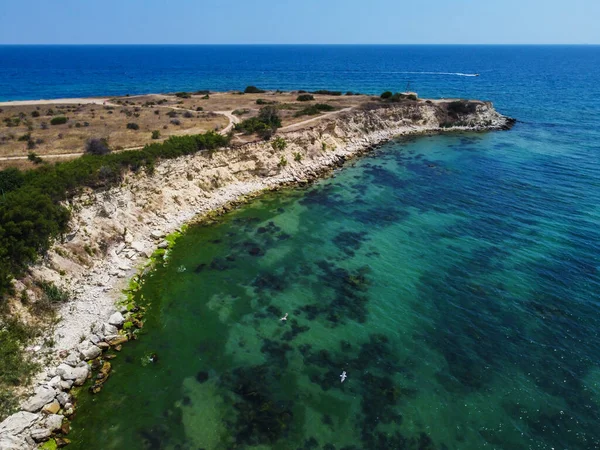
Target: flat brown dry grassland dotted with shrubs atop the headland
{"points": [[34, 132]]}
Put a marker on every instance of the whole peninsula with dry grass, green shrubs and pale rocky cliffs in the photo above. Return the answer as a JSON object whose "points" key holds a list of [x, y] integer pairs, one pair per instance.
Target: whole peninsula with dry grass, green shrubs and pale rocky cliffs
{"points": [[113, 178]]}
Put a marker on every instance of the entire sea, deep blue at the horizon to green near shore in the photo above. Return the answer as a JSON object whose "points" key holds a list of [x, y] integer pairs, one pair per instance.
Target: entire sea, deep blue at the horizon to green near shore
{"points": [[455, 278]]}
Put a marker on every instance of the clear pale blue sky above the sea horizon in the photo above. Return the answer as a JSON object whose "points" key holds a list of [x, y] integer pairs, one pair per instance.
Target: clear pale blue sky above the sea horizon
{"points": [[300, 22]]}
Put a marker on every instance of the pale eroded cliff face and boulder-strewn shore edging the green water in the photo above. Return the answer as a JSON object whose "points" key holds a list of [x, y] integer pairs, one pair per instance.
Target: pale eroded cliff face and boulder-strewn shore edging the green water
{"points": [[114, 233]]}
